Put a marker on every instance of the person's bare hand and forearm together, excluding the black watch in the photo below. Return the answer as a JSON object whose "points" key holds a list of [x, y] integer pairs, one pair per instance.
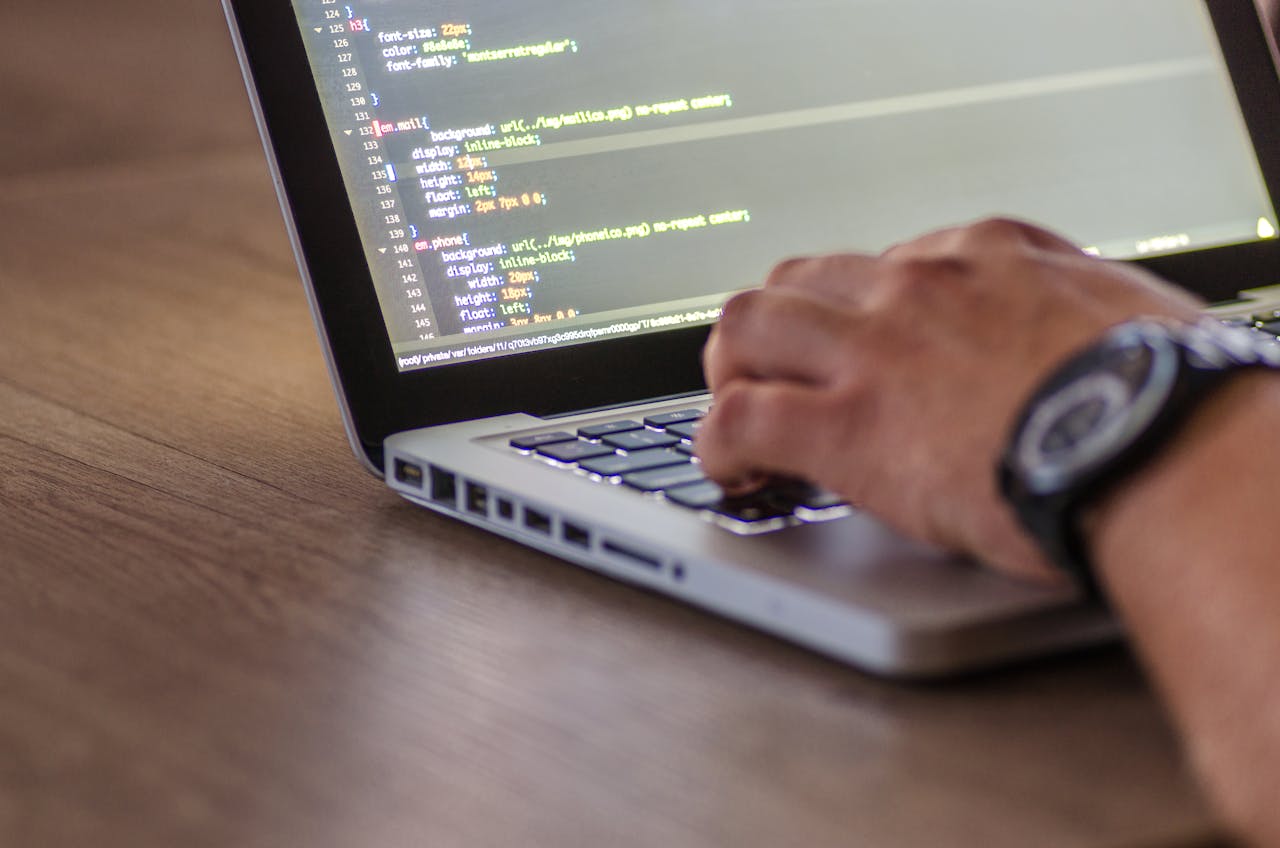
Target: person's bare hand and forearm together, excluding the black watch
{"points": [[828, 373]]}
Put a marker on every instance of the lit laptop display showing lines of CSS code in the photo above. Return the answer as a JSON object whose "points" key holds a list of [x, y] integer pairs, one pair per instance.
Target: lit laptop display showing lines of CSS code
{"points": [[532, 175]]}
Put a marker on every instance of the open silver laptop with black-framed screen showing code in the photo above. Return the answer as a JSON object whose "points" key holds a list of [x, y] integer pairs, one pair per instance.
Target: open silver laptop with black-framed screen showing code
{"points": [[518, 222]]}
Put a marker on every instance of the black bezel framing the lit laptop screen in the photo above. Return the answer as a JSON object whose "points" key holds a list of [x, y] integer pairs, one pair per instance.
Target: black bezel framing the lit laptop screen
{"points": [[381, 400]]}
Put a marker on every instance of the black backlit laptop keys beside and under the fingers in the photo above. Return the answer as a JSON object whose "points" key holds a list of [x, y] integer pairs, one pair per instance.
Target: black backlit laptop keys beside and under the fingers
{"points": [[656, 457]]}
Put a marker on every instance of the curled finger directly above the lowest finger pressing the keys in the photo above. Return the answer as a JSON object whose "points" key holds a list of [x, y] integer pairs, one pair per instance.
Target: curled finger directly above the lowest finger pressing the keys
{"points": [[778, 335]]}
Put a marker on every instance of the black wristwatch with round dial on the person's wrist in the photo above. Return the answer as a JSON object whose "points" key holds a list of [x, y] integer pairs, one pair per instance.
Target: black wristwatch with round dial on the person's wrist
{"points": [[1108, 412]]}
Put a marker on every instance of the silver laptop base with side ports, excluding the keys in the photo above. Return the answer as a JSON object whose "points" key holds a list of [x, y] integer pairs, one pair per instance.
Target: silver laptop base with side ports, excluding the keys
{"points": [[851, 589]]}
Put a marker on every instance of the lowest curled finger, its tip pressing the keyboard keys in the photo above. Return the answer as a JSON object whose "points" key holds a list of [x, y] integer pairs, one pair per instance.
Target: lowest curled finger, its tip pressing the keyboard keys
{"points": [[766, 428]]}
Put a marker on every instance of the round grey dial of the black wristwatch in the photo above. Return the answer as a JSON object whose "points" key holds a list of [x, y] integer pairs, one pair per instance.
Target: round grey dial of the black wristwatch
{"points": [[1094, 409]]}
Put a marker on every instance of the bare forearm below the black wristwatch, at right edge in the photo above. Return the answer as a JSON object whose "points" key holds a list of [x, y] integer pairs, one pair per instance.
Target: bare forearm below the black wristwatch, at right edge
{"points": [[1187, 554]]}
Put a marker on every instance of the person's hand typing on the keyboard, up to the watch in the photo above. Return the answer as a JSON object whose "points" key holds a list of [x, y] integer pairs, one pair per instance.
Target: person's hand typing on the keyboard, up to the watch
{"points": [[897, 380]]}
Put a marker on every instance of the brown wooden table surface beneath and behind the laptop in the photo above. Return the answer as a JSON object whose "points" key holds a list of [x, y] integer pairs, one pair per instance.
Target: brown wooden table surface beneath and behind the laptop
{"points": [[216, 630]]}
